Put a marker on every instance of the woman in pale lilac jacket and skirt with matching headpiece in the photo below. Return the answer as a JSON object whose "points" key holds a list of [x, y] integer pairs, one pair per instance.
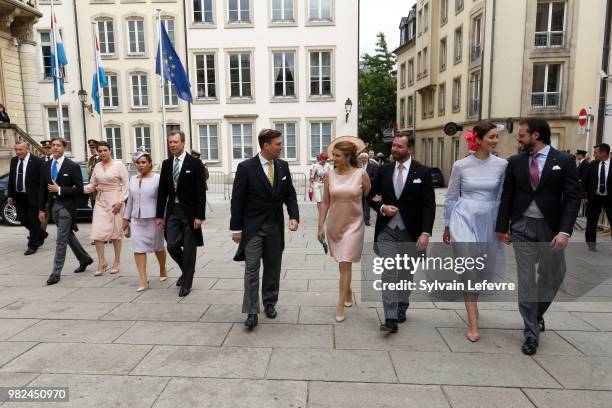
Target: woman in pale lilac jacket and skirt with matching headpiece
{"points": [[139, 216]]}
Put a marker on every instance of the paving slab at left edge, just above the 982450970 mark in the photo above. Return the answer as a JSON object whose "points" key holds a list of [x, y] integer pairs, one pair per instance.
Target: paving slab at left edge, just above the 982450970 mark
{"points": [[77, 358]]}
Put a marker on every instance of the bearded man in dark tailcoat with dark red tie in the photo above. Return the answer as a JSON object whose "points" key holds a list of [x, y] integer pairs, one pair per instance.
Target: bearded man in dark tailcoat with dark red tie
{"points": [[539, 205]]}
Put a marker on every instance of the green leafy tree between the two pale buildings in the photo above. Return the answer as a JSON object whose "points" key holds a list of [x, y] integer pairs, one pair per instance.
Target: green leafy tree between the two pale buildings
{"points": [[377, 94]]}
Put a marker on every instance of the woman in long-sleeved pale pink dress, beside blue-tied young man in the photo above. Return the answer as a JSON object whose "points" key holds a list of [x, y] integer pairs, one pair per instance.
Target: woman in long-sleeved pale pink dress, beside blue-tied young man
{"points": [[110, 181]]}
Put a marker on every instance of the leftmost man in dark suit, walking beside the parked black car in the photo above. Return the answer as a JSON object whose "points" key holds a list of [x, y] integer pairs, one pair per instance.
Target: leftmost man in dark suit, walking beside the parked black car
{"points": [[23, 190]]}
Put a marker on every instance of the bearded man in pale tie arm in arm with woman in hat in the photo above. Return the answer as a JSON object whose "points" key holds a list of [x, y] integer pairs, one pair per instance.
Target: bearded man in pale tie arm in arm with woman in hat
{"points": [[406, 213]]}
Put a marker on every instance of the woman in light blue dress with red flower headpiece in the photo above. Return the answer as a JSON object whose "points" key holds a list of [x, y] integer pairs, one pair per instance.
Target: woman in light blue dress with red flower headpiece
{"points": [[470, 212]]}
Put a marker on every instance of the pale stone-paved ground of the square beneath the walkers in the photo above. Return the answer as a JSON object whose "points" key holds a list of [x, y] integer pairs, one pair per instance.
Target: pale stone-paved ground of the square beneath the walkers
{"points": [[115, 347]]}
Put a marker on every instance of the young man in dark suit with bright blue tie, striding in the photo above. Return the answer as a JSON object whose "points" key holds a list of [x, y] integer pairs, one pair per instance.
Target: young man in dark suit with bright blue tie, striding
{"points": [[61, 185]]}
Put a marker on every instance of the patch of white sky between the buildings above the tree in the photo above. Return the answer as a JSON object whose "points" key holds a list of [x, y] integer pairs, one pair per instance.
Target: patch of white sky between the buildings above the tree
{"points": [[381, 15]]}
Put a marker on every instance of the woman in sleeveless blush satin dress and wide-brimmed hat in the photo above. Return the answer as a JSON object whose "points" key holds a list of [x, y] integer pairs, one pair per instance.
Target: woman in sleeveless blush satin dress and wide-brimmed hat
{"points": [[344, 188]]}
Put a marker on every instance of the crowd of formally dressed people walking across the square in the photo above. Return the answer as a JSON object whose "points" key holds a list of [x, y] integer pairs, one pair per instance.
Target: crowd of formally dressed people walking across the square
{"points": [[531, 198]]}
